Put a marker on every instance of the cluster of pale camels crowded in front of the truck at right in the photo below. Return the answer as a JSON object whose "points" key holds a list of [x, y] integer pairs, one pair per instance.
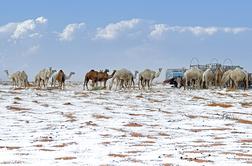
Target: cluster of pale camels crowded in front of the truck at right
{"points": [[196, 78]]}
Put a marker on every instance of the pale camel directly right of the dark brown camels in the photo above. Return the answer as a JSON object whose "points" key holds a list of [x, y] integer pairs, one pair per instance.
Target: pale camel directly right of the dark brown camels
{"points": [[122, 77]]}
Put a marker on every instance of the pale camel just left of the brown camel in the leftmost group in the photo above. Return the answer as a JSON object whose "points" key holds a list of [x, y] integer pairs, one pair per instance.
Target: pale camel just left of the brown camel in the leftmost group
{"points": [[44, 75]]}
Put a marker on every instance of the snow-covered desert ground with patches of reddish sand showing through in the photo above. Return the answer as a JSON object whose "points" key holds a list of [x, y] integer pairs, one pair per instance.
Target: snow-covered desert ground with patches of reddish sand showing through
{"points": [[164, 126]]}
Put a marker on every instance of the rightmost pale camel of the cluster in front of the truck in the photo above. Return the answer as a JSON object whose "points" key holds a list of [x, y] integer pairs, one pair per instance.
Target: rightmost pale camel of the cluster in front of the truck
{"points": [[239, 75]]}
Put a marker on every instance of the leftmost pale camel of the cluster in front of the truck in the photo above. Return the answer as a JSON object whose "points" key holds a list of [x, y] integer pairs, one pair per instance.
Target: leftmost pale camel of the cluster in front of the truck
{"points": [[193, 74]]}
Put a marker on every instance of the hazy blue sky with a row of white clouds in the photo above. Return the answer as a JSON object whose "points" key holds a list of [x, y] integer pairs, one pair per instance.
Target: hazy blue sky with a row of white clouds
{"points": [[80, 35]]}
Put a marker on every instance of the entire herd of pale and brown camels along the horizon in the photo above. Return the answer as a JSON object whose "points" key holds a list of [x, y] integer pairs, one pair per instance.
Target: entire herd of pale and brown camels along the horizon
{"points": [[194, 78]]}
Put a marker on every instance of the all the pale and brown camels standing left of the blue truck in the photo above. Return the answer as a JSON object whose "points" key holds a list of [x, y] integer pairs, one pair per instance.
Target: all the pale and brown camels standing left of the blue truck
{"points": [[122, 78]]}
